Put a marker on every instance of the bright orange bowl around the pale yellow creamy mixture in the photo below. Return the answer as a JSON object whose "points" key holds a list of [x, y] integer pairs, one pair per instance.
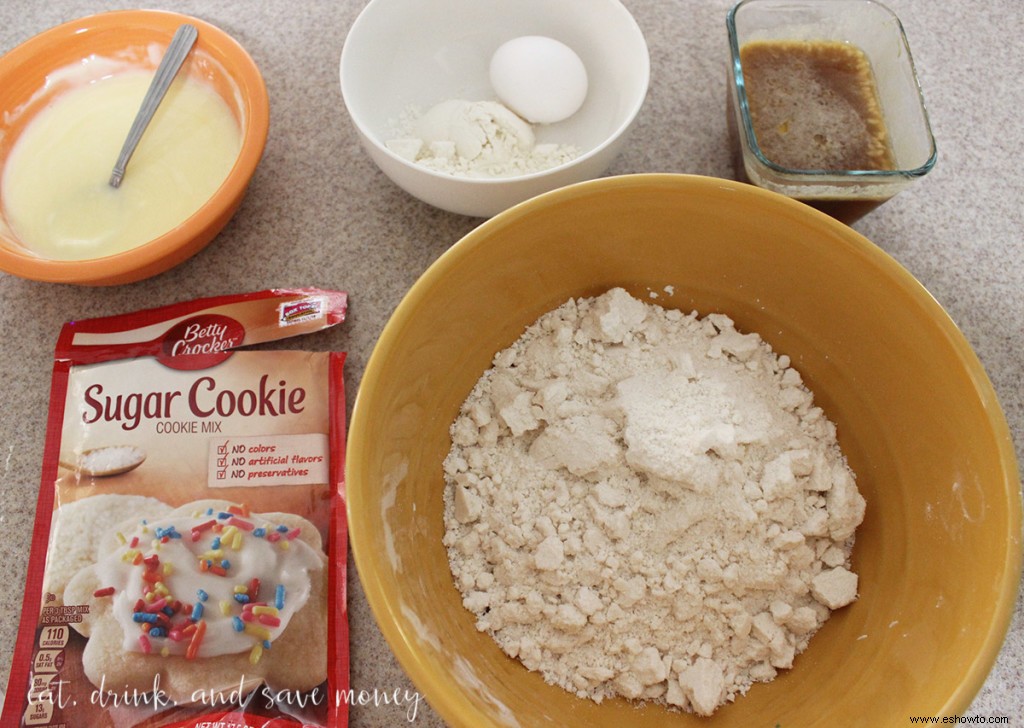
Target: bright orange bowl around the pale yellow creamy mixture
{"points": [[217, 59]]}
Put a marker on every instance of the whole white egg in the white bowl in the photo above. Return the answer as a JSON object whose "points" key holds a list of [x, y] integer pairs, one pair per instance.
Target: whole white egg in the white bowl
{"points": [[539, 78]]}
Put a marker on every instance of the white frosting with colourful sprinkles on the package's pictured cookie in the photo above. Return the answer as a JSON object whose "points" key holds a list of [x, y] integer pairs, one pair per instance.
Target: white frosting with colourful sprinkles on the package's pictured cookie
{"points": [[233, 560]]}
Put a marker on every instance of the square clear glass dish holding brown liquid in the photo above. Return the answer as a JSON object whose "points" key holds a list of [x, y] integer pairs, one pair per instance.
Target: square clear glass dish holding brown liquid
{"points": [[826, 106]]}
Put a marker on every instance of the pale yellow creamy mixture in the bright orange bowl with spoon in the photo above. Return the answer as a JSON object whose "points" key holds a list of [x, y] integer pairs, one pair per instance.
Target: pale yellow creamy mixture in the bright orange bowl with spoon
{"points": [[55, 189]]}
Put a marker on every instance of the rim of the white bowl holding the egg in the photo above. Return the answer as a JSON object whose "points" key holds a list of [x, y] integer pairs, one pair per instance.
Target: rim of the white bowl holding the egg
{"points": [[372, 138]]}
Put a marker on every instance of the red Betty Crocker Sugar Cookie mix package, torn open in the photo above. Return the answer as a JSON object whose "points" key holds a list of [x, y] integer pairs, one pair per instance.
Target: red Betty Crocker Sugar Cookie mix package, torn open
{"points": [[188, 566]]}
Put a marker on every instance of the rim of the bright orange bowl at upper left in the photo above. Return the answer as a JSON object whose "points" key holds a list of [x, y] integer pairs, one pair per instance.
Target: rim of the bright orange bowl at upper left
{"points": [[147, 259]]}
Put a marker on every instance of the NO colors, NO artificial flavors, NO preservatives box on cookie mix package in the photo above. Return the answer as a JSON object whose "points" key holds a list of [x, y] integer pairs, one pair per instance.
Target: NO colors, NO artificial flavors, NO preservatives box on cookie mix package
{"points": [[269, 460]]}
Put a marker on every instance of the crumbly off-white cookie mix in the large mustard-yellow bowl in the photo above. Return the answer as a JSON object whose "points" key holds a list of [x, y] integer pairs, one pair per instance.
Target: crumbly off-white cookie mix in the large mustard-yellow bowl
{"points": [[648, 504]]}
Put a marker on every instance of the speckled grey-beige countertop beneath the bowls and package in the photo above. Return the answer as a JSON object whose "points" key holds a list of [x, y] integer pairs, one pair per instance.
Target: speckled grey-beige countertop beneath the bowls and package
{"points": [[319, 213]]}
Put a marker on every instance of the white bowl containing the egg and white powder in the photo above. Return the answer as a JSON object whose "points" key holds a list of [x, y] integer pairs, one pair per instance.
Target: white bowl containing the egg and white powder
{"points": [[403, 54]]}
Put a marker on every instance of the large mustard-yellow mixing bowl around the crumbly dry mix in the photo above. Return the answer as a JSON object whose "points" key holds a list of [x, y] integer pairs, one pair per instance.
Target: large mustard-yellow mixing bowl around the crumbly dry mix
{"points": [[938, 554]]}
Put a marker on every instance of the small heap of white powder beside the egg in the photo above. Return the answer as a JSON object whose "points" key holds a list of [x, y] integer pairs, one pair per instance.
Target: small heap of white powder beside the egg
{"points": [[475, 140]]}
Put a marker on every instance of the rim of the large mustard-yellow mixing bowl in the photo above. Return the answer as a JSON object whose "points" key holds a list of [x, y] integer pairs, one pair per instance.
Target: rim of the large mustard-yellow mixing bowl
{"points": [[452, 706]]}
